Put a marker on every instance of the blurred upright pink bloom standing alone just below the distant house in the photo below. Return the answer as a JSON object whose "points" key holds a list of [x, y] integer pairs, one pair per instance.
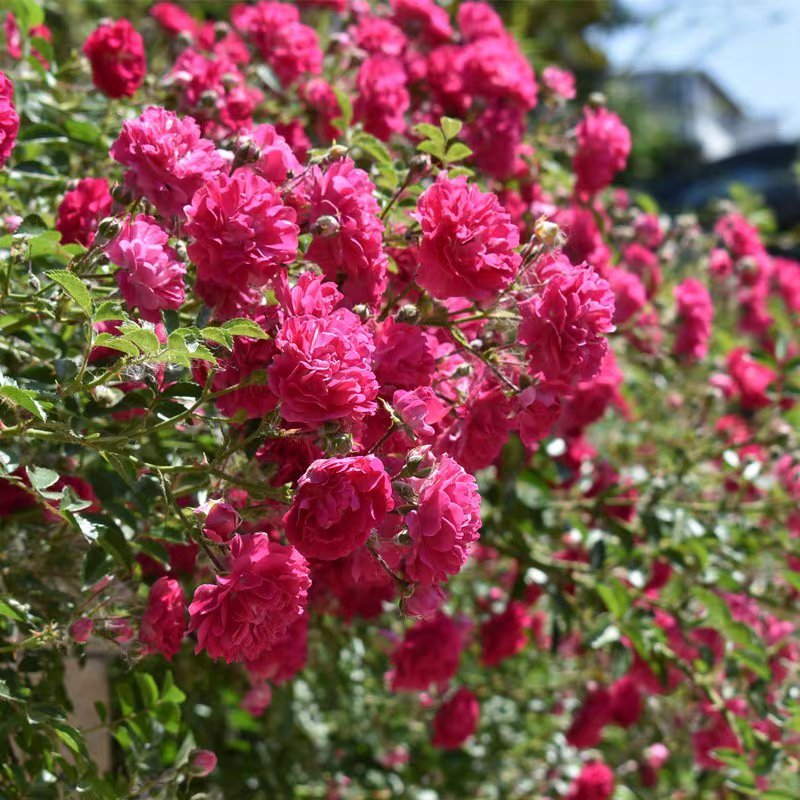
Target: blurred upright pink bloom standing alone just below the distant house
{"points": [[603, 147]]}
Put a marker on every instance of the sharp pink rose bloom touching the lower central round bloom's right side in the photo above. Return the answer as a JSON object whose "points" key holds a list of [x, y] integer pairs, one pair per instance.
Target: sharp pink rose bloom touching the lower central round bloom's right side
{"points": [[444, 524]]}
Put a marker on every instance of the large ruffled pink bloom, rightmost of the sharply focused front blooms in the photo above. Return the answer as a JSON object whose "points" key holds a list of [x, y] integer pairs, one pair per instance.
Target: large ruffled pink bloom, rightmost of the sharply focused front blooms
{"points": [[563, 326]]}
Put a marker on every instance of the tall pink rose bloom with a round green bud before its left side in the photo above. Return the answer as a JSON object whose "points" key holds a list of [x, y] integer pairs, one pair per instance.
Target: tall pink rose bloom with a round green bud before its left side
{"points": [[352, 254]]}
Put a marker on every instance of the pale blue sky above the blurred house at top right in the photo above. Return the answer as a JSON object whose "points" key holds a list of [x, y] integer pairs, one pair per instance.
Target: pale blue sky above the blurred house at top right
{"points": [[751, 47]]}
